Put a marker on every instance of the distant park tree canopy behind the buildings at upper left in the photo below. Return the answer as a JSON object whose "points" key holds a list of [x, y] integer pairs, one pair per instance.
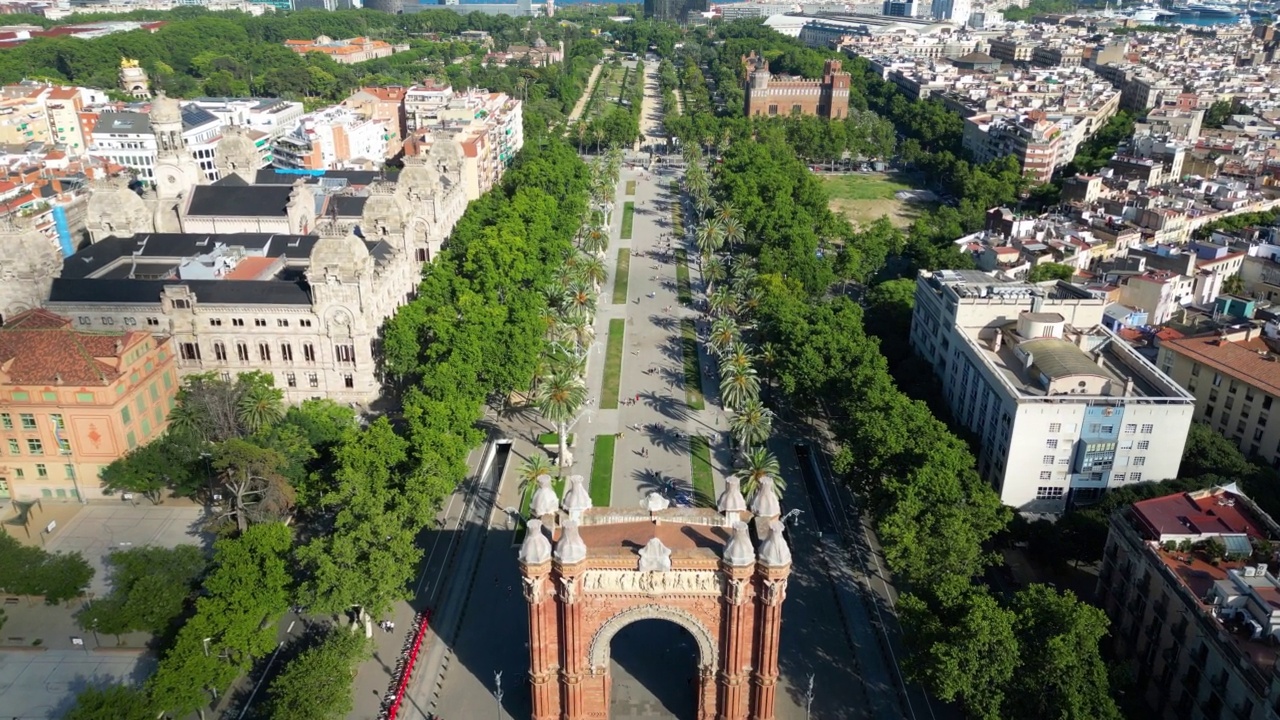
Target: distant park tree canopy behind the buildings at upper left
{"points": [[236, 54]]}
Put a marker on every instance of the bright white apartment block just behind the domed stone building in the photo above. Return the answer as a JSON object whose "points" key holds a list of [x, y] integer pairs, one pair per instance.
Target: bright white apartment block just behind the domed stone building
{"points": [[333, 139]]}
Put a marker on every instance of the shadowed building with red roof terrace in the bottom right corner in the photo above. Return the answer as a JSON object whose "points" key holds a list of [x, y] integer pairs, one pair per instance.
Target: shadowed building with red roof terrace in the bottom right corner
{"points": [[1197, 628]]}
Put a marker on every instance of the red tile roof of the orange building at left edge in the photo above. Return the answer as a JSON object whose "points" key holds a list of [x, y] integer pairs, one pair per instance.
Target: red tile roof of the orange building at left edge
{"points": [[40, 348]]}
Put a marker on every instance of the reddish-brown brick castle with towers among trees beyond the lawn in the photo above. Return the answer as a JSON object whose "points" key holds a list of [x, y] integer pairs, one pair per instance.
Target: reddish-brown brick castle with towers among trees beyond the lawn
{"points": [[787, 95]]}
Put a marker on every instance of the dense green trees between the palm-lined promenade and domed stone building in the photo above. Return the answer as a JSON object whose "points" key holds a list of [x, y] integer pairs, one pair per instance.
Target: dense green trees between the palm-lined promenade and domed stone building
{"points": [[359, 494]]}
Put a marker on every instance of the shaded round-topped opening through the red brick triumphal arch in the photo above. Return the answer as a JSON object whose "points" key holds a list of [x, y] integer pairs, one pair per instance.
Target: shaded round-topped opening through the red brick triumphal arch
{"points": [[653, 672]]}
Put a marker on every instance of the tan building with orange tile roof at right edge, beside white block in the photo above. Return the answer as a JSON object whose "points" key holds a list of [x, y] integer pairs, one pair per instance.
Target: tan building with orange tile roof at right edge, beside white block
{"points": [[1236, 379]]}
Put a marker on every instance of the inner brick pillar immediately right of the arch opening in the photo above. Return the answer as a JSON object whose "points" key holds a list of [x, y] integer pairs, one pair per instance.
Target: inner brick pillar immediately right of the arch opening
{"points": [[738, 642]]}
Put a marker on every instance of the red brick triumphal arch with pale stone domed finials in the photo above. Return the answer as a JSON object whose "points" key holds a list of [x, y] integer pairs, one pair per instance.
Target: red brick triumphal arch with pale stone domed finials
{"points": [[719, 573]]}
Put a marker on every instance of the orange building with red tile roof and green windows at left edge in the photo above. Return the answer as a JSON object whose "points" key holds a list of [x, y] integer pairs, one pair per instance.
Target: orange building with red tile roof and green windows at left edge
{"points": [[72, 402]]}
